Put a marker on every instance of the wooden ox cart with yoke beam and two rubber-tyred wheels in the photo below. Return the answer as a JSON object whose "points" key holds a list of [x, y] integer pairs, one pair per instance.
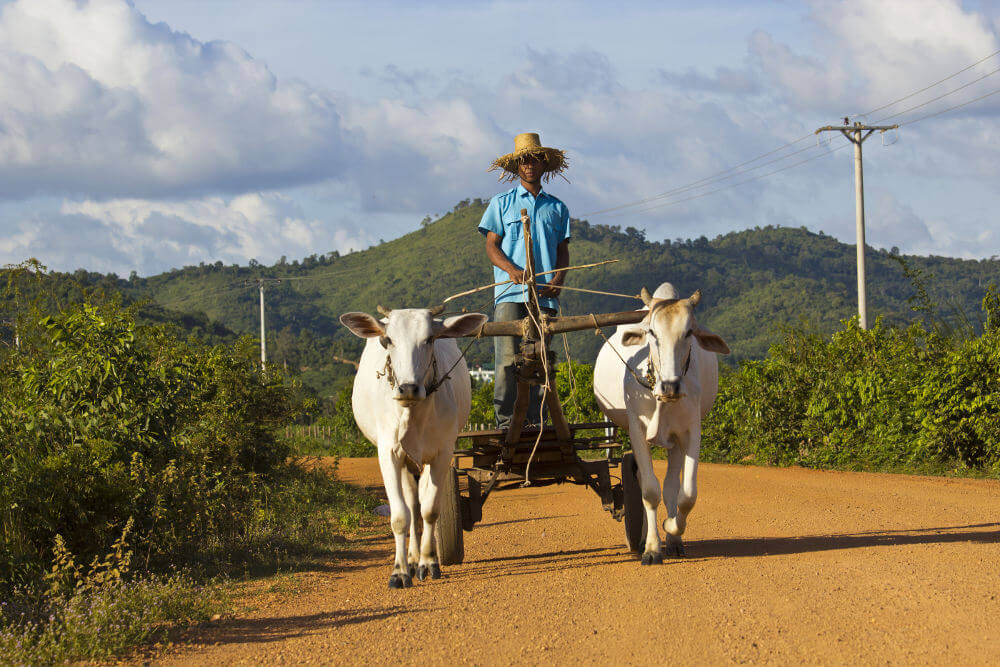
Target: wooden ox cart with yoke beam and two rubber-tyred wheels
{"points": [[486, 461]]}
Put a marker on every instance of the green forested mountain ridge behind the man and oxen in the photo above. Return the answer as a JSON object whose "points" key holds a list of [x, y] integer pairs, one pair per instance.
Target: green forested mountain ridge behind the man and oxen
{"points": [[754, 283]]}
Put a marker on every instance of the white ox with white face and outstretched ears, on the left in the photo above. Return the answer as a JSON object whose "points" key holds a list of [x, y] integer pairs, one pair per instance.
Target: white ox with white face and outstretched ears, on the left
{"points": [[407, 353]]}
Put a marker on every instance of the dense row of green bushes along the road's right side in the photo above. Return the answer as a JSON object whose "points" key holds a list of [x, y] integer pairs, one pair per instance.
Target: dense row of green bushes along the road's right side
{"points": [[883, 399]]}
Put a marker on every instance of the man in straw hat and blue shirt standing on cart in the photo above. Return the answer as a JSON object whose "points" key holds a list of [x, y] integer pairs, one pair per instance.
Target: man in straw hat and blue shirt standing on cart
{"points": [[530, 163]]}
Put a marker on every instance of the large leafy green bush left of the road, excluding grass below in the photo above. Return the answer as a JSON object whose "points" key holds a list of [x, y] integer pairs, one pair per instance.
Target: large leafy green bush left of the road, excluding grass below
{"points": [[102, 421]]}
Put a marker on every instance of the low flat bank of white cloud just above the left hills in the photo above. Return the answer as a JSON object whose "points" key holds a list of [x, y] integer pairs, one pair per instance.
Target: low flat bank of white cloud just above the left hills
{"points": [[124, 234]]}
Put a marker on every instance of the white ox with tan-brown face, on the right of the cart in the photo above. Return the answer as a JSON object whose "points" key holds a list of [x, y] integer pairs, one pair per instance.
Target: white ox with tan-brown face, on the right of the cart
{"points": [[677, 358]]}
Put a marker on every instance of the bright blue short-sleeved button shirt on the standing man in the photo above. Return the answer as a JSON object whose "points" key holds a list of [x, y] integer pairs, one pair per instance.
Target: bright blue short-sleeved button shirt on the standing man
{"points": [[549, 227]]}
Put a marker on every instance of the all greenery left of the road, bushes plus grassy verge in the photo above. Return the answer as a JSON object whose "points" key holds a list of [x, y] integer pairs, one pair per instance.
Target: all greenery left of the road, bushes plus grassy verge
{"points": [[126, 451]]}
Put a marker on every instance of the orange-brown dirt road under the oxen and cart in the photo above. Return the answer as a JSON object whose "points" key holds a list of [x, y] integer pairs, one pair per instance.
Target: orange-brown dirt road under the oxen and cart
{"points": [[784, 565]]}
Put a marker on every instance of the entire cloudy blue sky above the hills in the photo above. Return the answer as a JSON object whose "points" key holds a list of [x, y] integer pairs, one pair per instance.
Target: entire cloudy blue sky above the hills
{"points": [[148, 135]]}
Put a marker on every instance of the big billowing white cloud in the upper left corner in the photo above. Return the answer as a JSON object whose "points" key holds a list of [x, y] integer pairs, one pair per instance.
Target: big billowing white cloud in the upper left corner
{"points": [[96, 100]]}
